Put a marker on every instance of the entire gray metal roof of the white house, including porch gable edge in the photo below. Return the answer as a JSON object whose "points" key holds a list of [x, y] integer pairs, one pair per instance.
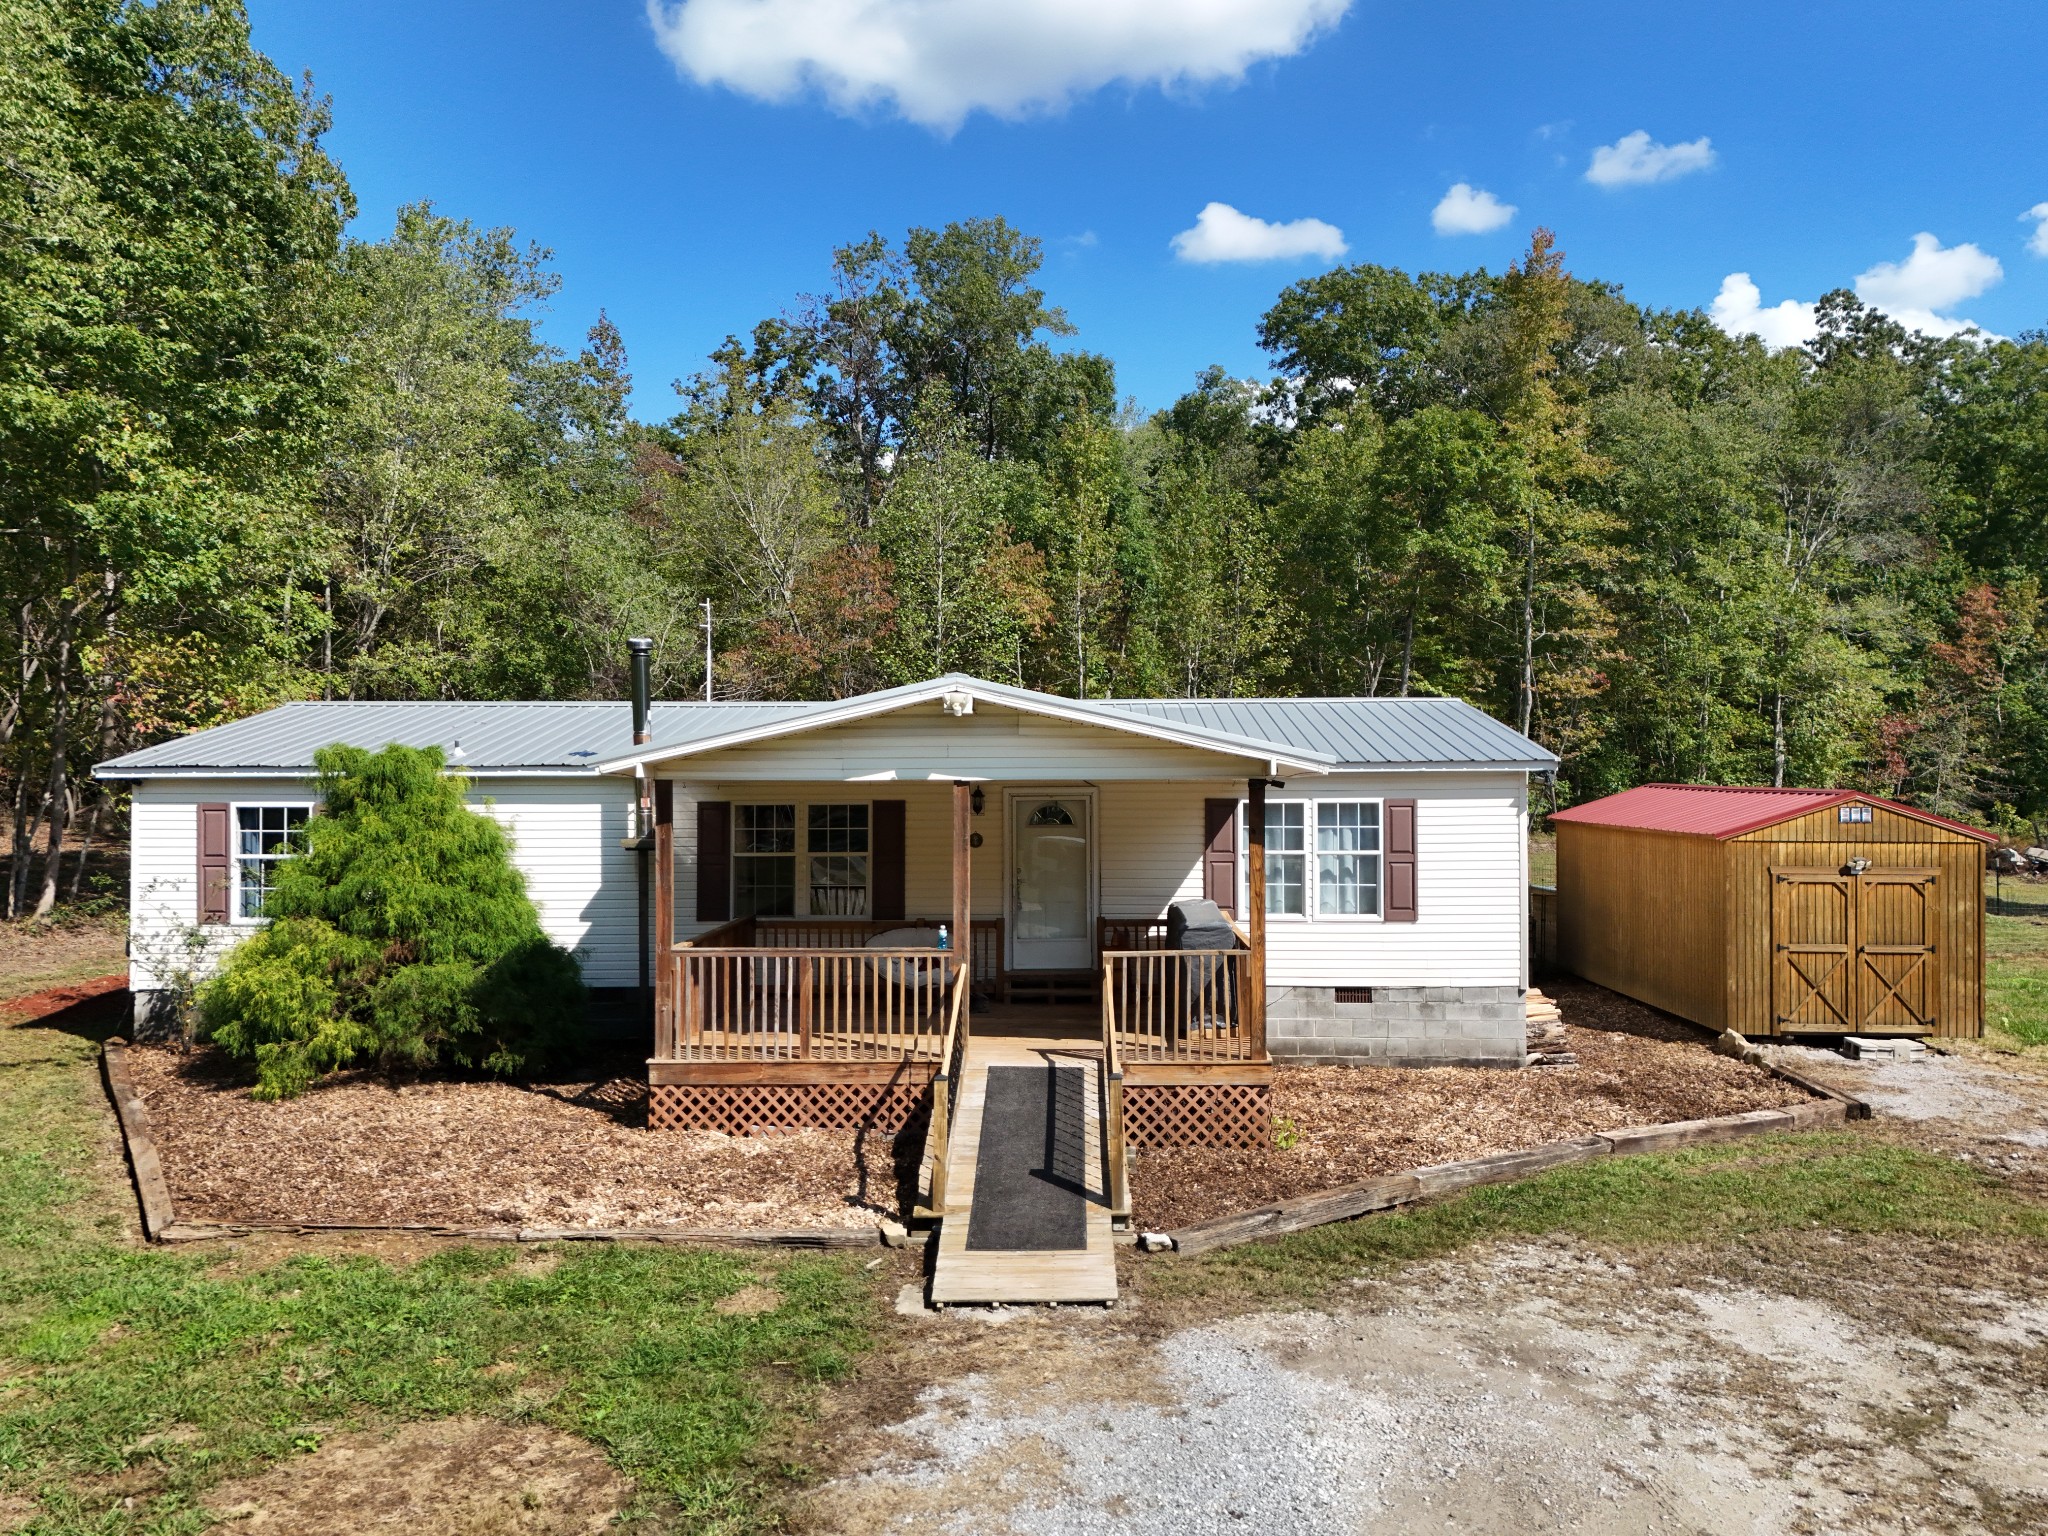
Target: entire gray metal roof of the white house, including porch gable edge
{"points": [[577, 738]]}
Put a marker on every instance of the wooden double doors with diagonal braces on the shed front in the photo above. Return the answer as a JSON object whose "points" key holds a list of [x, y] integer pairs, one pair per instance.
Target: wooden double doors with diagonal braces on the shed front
{"points": [[1854, 953]]}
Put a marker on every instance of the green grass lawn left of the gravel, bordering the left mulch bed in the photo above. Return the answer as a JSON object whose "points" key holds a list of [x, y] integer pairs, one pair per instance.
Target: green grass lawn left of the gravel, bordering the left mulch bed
{"points": [[132, 1369]]}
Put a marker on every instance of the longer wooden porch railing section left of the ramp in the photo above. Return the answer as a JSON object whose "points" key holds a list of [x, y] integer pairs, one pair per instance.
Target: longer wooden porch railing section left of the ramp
{"points": [[812, 1005]]}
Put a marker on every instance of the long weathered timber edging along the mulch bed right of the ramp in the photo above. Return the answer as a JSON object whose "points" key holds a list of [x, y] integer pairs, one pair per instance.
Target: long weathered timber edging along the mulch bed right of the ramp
{"points": [[1420, 1185]]}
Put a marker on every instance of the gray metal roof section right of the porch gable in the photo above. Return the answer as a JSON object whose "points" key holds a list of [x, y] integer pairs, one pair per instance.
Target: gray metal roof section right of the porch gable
{"points": [[1361, 732]]}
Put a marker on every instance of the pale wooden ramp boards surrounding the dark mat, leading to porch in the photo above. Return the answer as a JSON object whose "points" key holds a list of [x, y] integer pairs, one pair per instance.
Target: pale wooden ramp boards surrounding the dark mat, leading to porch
{"points": [[966, 1275]]}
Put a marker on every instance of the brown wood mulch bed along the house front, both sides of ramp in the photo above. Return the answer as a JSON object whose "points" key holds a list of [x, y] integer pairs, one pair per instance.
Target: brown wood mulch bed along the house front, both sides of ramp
{"points": [[486, 1154]]}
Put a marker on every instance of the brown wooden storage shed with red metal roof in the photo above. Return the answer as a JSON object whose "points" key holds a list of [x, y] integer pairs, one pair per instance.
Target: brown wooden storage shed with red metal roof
{"points": [[1777, 910]]}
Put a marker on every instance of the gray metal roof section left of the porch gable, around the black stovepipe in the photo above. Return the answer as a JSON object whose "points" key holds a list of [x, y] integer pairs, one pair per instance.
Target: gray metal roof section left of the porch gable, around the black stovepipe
{"points": [[497, 738]]}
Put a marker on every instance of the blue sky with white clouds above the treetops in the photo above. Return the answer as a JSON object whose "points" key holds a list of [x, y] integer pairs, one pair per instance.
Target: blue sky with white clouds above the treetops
{"points": [[691, 208]]}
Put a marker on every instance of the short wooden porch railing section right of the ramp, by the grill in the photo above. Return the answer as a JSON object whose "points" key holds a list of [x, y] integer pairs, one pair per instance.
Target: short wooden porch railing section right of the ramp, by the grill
{"points": [[1162, 1007]]}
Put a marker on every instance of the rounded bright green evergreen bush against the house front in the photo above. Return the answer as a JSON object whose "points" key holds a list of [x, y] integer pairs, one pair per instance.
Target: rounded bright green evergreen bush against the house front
{"points": [[400, 937]]}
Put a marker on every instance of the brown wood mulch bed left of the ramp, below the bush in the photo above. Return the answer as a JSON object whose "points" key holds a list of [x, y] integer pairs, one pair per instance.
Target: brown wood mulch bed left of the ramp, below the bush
{"points": [[486, 1154]]}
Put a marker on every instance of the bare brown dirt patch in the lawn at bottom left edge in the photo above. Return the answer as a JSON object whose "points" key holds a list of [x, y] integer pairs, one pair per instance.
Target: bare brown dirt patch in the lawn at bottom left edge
{"points": [[468, 1478]]}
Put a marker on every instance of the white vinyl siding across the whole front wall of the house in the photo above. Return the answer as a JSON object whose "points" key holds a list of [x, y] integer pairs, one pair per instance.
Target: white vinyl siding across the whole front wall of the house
{"points": [[568, 833]]}
